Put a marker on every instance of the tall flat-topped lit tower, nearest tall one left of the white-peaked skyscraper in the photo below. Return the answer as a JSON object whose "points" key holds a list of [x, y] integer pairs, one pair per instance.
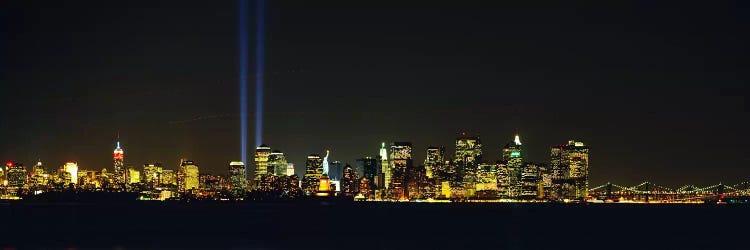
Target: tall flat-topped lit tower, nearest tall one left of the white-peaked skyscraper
{"points": [[468, 154]]}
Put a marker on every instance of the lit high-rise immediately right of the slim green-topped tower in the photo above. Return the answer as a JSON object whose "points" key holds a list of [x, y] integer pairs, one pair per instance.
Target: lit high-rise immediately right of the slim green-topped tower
{"points": [[401, 161]]}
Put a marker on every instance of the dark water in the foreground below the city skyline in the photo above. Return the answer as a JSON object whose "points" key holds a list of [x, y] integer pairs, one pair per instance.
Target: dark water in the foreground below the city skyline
{"points": [[371, 225]]}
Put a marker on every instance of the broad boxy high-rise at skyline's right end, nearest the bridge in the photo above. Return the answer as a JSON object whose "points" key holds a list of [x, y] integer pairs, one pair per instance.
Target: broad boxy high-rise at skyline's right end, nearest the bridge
{"points": [[570, 170]]}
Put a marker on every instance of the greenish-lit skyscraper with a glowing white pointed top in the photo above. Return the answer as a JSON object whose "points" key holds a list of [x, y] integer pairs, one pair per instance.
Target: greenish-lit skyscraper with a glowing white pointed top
{"points": [[512, 162]]}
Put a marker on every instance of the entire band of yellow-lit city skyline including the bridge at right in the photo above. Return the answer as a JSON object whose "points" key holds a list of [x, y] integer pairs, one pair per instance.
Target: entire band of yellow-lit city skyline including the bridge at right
{"points": [[391, 175]]}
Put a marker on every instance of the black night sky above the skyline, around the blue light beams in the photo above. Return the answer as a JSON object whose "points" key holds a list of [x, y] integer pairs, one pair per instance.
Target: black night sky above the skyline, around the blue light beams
{"points": [[658, 91]]}
